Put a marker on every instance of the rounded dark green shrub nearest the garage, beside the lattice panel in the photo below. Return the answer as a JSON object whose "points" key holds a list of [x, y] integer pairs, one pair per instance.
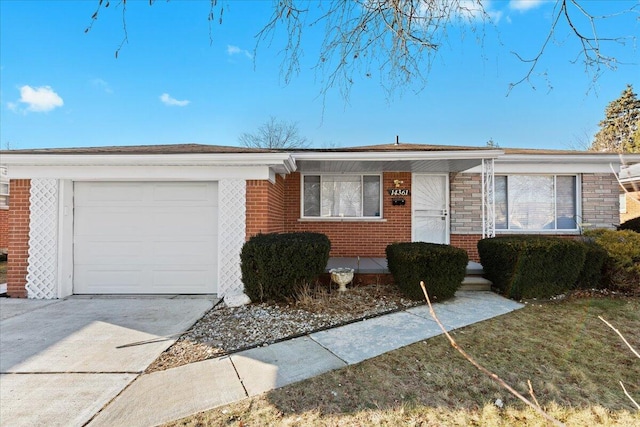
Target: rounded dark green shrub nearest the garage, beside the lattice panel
{"points": [[274, 266]]}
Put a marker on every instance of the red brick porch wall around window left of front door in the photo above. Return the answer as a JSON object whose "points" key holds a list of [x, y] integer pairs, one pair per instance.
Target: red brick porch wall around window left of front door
{"points": [[351, 238]]}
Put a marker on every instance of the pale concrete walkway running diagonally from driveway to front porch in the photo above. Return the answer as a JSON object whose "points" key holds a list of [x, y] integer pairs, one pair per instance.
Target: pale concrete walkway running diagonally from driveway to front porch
{"points": [[164, 396]]}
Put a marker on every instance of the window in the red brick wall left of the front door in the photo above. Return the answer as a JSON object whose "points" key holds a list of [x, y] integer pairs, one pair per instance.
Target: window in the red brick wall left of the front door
{"points": [[341, 196]]}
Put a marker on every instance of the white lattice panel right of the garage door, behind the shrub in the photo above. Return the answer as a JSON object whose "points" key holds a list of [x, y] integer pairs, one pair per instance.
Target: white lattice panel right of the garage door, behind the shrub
{"points": [[231, 237]]}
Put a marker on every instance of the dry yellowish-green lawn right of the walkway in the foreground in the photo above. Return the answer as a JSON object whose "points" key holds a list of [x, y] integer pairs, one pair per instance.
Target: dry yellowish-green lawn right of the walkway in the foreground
{"points": [[573, 360]]}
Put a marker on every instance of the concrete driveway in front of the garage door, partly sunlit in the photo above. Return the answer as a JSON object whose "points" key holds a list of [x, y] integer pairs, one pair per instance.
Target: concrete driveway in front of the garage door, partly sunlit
{"points": [[61, 361]]}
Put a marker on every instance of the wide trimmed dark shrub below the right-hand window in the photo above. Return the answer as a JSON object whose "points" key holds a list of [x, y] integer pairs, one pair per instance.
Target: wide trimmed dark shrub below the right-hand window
{"points": [[527, 266]]}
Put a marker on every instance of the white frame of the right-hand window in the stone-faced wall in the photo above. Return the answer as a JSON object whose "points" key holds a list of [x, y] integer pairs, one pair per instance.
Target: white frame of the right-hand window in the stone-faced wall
{"points": [[578, 205]]}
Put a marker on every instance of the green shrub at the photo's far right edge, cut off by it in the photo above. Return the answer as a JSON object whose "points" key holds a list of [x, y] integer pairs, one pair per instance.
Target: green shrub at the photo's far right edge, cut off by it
{"points": [[622, 266]]}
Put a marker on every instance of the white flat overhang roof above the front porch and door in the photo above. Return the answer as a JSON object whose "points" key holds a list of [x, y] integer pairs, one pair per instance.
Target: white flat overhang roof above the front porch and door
{"points": [[386, 161]]}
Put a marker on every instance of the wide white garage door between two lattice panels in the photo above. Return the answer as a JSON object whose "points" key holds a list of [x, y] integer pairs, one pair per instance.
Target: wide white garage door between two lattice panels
{"points": [[145, 237]]}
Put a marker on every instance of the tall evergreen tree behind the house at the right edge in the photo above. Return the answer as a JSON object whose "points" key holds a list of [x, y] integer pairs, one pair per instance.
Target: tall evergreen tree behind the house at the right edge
{"points": [[620, 130]]}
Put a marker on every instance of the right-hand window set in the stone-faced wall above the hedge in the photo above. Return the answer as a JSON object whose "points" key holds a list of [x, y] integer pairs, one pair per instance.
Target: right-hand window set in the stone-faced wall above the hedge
{"points": [[536, 202]]}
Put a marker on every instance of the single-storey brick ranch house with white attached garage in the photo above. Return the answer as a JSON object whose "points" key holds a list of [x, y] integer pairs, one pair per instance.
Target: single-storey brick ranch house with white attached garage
{"points": [[173, 219]]}
